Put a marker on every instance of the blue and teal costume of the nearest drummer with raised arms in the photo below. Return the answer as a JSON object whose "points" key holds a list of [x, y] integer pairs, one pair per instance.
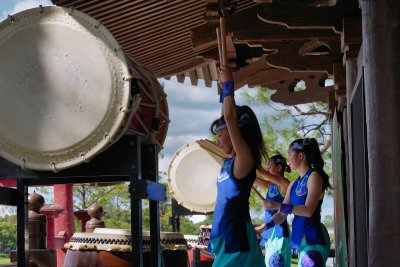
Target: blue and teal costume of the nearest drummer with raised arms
{"points": [[233, 239]]}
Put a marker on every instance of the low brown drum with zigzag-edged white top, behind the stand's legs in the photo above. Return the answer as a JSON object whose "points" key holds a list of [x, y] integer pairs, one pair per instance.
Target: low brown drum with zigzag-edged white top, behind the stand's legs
{"points": [[107, 247]]}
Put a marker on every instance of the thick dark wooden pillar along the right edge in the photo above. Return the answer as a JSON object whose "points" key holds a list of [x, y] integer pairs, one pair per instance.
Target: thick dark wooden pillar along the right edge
{"points": [[381, 48]]}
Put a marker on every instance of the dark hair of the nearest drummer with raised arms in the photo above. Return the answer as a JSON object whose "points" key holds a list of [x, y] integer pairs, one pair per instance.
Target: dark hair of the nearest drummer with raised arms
{"points": [[249, 129]]}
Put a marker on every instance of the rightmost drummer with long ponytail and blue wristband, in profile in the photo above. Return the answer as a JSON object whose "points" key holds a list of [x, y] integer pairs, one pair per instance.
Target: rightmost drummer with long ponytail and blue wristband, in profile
{"points": [[304, 199]]}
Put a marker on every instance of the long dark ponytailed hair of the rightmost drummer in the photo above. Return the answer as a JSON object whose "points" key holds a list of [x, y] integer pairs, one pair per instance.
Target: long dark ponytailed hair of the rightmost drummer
{"points": [[310, 148]]}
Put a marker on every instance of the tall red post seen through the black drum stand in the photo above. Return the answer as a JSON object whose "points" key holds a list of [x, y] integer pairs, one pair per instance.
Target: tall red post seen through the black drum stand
{"points": [[64, 226]]}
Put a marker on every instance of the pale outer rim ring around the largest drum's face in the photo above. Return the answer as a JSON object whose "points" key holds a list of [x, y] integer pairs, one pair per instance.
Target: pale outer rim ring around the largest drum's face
{"points": [[119, 113]]}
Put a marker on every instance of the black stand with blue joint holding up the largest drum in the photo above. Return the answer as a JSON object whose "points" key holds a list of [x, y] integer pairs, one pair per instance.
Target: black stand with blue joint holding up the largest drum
{"points": [[123, 161]]}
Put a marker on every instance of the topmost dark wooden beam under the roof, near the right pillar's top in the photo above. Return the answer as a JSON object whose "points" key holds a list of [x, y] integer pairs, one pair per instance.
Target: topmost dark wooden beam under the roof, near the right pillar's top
{"points": [[297, 16]]}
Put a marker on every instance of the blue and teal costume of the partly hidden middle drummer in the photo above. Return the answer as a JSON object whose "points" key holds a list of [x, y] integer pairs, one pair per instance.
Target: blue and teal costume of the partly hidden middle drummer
{"points": [[276, 239]]}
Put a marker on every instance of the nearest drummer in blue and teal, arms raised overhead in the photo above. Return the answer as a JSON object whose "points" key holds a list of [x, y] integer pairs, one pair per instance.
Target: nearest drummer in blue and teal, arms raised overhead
{"points": [[233, 239]]}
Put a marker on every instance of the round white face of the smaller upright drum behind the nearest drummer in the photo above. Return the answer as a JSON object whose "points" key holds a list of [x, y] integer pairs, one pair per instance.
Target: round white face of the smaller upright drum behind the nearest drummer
{"points": [[192, 175]]}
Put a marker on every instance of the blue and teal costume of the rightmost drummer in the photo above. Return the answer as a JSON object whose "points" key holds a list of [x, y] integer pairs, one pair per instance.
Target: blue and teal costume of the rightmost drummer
{"points": [[309, 235]]}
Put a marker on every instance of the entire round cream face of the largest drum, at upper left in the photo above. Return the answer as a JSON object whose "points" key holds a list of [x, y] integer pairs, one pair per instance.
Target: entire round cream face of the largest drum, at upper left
{"points": [[65, 88]]}
